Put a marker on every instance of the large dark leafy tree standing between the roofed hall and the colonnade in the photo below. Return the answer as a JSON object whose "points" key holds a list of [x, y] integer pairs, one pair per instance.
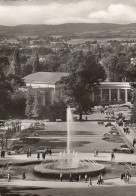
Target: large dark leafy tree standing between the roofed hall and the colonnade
{"points": [[85, 75]]}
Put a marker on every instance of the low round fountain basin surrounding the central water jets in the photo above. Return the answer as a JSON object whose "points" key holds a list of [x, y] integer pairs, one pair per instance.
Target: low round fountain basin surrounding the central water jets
{"points": [[52, 169]]}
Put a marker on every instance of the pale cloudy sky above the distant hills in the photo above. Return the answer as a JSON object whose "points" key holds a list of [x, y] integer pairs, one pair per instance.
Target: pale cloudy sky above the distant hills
{"points": [[14, 12]]}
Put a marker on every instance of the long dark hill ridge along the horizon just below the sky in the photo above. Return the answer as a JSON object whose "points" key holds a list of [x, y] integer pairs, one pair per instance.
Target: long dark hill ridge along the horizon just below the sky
{"points": [[63, 28]]}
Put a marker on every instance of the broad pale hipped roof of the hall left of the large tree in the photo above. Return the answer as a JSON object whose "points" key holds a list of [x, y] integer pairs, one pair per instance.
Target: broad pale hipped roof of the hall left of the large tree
{"points": [[44, 77]]}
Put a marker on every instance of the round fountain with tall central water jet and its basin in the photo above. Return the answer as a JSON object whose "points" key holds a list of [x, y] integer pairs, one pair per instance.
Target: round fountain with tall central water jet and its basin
{"points": [[69, 161]]}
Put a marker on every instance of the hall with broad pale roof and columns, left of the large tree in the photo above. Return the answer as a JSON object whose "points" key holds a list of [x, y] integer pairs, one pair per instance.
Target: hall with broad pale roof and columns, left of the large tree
{"points": [[46, 85]]}
